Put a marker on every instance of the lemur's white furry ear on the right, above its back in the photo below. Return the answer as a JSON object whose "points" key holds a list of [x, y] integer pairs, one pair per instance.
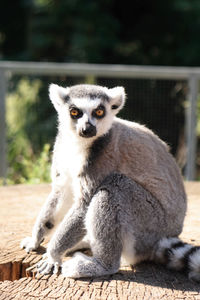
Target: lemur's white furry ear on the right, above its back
{"points": [[117, 98]]}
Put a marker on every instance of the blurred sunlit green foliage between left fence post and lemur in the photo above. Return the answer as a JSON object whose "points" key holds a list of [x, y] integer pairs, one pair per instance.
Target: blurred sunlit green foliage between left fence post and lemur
{"points": [[27, 163]]}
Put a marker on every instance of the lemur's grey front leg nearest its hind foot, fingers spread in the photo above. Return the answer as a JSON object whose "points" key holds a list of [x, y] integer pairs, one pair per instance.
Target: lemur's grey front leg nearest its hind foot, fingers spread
{"points": [[69, 232]]}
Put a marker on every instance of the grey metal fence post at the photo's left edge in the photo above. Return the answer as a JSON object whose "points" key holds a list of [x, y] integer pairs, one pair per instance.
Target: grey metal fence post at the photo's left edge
{"points": [[2, 125]]}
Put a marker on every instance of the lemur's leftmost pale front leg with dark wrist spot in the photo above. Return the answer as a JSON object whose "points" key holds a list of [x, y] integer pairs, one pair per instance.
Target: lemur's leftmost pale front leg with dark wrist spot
{"points": [[51, 213]]}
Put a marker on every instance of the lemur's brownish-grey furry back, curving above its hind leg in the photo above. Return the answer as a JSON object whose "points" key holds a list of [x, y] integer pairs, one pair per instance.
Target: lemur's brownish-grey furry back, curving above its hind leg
{"points": [[142, 156]]}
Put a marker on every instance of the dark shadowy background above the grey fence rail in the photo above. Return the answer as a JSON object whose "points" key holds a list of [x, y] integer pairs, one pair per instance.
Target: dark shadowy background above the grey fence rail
{"points": [[105, 31]]}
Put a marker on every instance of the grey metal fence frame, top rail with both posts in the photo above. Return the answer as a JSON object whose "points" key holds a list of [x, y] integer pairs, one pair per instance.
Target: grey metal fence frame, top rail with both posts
{"points": [[115, 72]]}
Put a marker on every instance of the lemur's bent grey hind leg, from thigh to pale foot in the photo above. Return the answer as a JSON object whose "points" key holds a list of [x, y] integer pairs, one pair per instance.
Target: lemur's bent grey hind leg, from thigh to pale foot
{"points": [[114, 221]]}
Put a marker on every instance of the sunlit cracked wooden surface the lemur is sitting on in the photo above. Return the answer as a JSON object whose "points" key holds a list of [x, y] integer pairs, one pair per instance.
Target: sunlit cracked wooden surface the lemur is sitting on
{"points": [[19, 208]]}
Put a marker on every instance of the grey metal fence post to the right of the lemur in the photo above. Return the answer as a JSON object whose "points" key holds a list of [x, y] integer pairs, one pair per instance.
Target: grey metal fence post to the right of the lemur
{"points": [[191, 118]]}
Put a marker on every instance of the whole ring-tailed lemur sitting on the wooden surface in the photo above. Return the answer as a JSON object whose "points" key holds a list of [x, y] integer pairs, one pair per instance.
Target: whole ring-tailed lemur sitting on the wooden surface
{"points": [[129, 198]]}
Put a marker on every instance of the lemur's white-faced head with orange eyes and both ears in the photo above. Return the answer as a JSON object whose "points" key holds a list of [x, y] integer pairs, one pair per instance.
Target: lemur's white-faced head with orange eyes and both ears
{"points": [[88, 110]]}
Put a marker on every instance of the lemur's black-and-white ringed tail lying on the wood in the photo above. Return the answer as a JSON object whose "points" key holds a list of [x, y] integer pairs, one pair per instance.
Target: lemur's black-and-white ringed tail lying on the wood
{"points": [[179, 256]]}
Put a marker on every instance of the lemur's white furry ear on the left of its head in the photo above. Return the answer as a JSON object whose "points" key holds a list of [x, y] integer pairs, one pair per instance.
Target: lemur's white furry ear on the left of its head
{"points": [[58, 95]]}
